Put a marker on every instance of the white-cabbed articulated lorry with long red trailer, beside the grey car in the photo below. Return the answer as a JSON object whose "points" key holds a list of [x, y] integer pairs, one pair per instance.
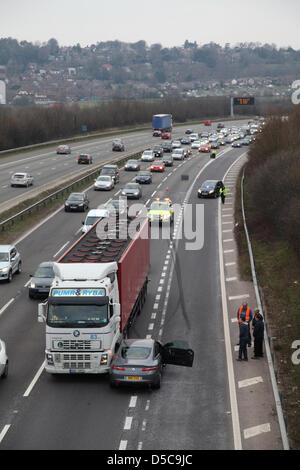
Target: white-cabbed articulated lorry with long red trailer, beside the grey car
{"points": [[100, 286]]}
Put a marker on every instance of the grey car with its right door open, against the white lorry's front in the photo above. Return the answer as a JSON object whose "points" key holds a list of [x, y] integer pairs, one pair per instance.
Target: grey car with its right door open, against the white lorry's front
{"points": [[141, 361]]}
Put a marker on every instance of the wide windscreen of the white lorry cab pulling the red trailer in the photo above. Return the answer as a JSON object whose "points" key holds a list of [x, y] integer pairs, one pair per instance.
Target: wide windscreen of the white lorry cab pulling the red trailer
{"points": [[77, 316]]}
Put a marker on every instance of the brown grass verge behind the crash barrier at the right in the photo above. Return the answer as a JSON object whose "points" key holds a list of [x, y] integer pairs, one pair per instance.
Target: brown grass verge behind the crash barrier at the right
{"points": [[278, 273]]}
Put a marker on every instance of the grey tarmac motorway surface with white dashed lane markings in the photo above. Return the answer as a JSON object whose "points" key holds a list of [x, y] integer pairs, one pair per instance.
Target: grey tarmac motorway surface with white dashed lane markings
{"points": [[192, 410]]}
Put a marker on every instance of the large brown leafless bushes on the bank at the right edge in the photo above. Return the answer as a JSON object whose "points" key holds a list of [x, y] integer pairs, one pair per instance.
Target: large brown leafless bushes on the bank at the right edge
{"points": [[273, 178]]}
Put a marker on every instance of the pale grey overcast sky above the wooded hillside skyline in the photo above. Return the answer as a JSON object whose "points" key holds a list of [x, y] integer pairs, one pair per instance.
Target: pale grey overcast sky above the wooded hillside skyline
{"points": [[169, 23]]}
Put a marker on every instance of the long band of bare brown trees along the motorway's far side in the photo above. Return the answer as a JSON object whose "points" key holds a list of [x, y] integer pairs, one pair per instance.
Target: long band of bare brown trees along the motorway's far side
{"points": [[28, 125]]}
